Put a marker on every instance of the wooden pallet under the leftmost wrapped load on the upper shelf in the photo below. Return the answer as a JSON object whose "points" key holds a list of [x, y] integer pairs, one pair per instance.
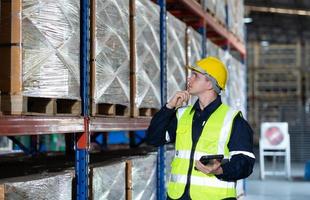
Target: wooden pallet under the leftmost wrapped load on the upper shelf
{"points": [[22, 105]]}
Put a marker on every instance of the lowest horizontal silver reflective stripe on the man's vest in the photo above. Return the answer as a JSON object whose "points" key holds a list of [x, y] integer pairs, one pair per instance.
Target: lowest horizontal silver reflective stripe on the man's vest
{"points": [[202, 181]]}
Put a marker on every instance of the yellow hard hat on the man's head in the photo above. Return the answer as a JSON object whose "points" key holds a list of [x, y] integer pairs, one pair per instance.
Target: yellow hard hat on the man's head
{"points": [[213, 67]]}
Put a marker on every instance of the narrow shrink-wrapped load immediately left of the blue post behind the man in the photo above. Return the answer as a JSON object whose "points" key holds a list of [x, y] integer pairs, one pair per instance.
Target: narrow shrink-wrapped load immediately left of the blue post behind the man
{"points": [[147, 54]]}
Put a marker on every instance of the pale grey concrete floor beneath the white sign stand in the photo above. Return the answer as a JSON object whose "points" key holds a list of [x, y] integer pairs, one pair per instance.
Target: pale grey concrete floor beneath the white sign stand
{"points": [[274, 188]]}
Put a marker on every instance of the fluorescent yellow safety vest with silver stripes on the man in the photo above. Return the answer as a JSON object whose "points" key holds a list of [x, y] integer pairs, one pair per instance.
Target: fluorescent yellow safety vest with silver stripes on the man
{"points": [[213, 140]]}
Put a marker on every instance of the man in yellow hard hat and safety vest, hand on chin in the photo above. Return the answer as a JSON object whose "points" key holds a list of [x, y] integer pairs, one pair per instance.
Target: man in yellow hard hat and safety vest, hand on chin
{"points": [[208, 127]]}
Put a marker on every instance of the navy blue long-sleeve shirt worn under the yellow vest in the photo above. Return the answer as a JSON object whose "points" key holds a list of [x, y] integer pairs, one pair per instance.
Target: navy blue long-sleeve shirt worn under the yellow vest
{"points": [[240, 144]]}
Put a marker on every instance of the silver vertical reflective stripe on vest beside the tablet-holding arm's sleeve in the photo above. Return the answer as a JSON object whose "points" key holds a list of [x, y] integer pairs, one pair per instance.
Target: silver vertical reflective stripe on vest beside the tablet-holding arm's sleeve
{"points": [[225, 131]]}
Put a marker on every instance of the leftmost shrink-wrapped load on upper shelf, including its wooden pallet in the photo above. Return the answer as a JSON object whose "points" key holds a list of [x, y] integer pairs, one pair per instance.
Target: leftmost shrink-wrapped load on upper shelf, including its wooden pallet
{"points": [[39, 71]]}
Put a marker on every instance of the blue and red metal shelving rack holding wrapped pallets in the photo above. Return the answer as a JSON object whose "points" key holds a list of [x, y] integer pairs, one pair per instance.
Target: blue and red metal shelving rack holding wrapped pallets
{"points": [[187, 10]]}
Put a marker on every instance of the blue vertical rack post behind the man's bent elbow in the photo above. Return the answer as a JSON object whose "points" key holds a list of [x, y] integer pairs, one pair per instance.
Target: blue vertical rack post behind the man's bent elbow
{"points": [[161, 189]]}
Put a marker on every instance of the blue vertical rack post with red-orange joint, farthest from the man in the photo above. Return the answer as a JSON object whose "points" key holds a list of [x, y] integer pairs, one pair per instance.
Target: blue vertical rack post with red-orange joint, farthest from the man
{"points": [[82, 141]]}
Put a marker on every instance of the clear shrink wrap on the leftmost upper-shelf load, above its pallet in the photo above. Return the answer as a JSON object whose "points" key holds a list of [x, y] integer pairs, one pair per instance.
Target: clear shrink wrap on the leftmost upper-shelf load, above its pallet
{"points": [[51, 50]]}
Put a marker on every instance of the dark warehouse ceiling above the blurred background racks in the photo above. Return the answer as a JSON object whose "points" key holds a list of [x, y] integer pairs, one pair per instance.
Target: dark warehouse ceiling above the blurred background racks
{"points": [[278, 21]]}
